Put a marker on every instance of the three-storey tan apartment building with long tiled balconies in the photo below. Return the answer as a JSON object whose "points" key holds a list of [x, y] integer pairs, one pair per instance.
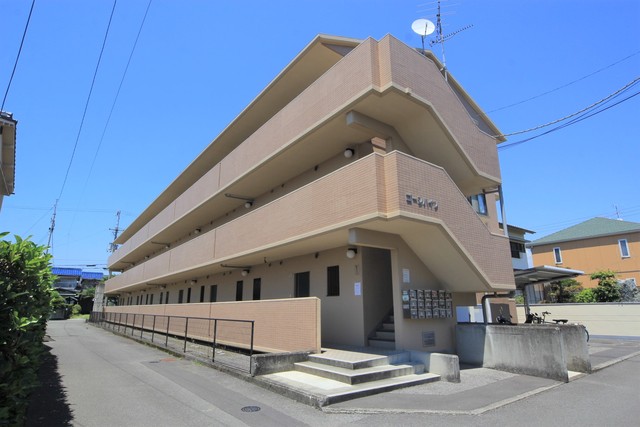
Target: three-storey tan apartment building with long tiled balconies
{"points": [[349, 178]]}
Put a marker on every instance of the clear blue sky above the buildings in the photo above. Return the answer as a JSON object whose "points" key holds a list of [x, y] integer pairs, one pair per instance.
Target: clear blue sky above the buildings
{"points": [[198, 63]]}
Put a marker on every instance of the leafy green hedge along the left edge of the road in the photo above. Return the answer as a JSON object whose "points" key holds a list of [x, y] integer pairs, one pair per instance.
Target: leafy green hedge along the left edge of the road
{"points": [[25, 306]]}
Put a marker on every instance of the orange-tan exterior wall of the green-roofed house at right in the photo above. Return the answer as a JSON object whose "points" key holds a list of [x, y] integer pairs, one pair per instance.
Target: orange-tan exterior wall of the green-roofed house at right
{"points": [[591, 255]]}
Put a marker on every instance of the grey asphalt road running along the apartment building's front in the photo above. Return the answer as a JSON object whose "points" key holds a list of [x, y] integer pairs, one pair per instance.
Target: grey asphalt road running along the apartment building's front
{"points": [[95, 378]]}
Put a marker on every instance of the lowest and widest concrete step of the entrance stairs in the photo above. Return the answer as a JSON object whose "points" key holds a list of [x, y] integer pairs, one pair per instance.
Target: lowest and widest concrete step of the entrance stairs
{"points": [[320, 392]]}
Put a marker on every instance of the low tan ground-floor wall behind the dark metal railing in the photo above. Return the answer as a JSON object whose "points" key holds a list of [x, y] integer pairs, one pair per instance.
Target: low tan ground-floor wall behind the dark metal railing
{"points": [[280, 325]]}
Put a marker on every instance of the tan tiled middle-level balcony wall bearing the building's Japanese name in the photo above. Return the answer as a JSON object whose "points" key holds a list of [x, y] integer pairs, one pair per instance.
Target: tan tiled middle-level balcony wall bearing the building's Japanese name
{"points": [[332, 202]]}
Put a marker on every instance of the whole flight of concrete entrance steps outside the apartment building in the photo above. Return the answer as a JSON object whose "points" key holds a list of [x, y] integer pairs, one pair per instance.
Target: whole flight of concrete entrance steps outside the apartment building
{"points": [[338, 375]]}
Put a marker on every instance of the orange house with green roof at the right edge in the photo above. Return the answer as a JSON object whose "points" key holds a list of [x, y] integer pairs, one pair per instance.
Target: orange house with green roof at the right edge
{"points": [[593, 245]]}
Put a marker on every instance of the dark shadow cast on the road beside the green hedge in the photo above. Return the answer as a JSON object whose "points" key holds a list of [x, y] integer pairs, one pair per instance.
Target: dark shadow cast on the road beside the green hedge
{"points": [[48, 404]]}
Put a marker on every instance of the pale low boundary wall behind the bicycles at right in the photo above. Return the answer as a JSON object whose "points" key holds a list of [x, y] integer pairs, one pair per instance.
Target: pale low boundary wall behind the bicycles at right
{"points": [[608, 319]]}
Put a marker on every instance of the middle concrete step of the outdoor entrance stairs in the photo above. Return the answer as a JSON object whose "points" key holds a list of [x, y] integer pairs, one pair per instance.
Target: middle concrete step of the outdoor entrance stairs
{"points": [[356, 376]]}
